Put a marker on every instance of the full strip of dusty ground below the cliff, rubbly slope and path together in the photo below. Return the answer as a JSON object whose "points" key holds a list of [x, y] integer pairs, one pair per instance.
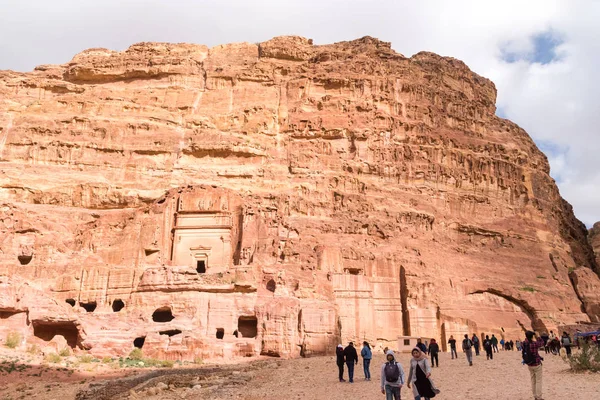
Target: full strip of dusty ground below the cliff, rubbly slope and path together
{"points": [[504, 378]]}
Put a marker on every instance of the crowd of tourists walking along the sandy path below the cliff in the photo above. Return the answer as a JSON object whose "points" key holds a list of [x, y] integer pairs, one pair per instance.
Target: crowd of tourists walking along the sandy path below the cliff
{"points": [[419, 376]]}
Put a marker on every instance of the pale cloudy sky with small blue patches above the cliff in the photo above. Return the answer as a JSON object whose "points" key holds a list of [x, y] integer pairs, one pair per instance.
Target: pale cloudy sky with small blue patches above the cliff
{"points": [[542, 55]]}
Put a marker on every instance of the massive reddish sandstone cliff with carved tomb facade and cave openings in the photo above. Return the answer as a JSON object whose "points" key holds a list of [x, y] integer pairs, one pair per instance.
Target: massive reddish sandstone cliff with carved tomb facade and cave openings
{"points": [[275, 199]]}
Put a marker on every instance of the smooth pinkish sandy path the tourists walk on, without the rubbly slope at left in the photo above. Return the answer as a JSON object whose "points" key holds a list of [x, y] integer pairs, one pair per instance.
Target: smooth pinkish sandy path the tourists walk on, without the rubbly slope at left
{"points": [[504, 378]]}
